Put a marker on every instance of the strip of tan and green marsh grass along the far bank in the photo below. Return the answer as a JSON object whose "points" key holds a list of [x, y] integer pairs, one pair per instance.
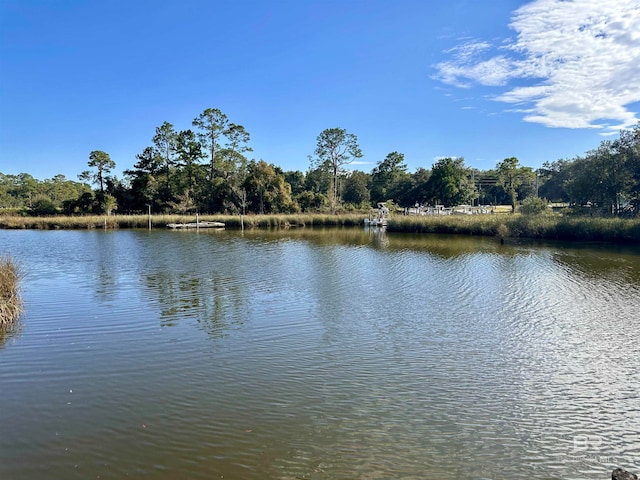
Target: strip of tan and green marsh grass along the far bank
{"points": [[551, 227]]}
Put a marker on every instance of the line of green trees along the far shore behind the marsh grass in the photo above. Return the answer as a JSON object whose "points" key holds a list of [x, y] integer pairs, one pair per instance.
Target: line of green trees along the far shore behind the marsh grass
{"points": [[206, 169]]}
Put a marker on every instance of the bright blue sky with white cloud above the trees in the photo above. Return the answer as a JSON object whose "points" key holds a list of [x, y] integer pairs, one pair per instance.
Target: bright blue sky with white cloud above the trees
{"points": [[539, 80]]}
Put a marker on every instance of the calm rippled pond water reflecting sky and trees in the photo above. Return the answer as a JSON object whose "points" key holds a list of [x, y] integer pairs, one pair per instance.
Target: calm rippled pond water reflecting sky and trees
{"points": [[319, 354]]}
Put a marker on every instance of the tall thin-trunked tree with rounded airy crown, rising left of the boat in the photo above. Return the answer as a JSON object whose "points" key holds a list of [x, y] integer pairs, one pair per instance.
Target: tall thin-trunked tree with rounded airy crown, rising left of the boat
{"points": [[336, 148]]}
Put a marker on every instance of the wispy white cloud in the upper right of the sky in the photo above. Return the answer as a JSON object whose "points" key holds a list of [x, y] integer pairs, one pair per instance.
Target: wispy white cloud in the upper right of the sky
{"points": [[579, 61]]}
